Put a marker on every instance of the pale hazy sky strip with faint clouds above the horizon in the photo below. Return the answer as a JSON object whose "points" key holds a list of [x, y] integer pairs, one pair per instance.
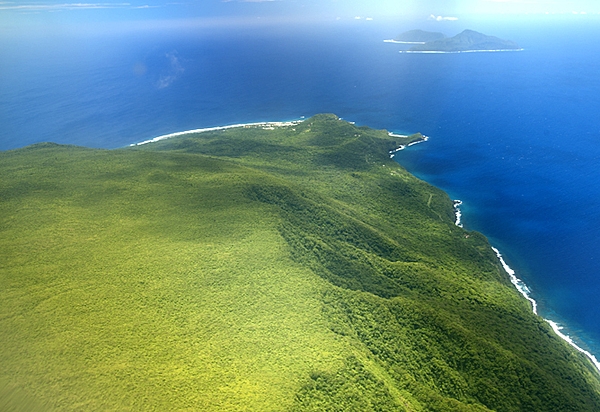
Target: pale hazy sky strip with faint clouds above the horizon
{"points": [[16, 13]]}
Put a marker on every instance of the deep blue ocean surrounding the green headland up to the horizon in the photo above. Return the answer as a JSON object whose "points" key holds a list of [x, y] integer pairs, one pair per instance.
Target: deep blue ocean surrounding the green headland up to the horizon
{"points": [[514, 135]]}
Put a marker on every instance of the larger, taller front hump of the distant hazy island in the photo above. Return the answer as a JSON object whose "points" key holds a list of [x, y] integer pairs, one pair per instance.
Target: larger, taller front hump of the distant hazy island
{"points": [[466, 41]]}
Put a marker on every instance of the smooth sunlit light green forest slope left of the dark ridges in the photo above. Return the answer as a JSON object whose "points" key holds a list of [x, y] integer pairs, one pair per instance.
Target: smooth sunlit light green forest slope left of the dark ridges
{"points": [[130, 281]]}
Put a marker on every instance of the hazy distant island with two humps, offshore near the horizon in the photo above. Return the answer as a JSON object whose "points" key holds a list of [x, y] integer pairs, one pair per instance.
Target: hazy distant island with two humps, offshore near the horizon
{"points": [[466, 41]]}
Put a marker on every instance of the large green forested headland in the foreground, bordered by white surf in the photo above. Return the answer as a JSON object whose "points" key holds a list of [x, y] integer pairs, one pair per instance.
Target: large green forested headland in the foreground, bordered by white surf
{"points": [[293, 268]]}
